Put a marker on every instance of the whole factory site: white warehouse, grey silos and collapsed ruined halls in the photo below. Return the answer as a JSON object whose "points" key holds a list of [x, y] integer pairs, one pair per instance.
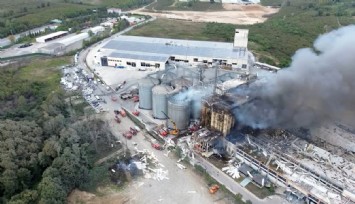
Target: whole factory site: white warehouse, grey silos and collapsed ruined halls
{"points": [[190, 92]]}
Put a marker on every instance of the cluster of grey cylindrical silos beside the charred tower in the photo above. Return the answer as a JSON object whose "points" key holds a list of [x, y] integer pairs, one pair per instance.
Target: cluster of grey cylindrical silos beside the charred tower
{"points": [[179, 99]]}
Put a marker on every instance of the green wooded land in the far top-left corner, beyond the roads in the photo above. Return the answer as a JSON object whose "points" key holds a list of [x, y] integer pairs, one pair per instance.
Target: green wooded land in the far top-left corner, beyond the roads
{"points": [[17, 16]]}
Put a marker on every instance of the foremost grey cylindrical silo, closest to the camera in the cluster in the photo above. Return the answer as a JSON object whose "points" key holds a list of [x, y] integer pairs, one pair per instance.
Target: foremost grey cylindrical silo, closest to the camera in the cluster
{"points": [[179, 111]]}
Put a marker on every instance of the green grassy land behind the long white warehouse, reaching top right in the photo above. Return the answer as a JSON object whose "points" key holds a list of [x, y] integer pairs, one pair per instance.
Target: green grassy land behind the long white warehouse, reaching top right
{"points": [[295, 26]]}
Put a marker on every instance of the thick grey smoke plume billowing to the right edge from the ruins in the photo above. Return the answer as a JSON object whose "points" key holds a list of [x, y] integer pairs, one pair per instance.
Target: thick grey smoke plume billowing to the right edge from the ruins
{"points": [[319, 86]]}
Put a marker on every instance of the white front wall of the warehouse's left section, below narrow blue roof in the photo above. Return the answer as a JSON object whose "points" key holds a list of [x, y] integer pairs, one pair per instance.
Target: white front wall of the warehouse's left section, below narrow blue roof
{"points": [[123, 62]]}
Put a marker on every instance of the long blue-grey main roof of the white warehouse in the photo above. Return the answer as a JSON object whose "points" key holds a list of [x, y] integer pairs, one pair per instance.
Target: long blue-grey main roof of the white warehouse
{"points": [[173, 47]]}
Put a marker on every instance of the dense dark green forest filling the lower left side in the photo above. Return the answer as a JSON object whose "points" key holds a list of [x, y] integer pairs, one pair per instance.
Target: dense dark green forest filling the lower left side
{"points": [[47, 145]]}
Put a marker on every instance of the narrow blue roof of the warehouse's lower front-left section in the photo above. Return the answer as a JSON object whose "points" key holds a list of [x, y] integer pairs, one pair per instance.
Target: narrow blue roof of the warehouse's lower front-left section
{"points": [[140, 56]]}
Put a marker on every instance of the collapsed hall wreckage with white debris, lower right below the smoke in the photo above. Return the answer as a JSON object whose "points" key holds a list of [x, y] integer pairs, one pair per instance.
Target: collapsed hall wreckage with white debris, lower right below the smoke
{"points": [[309, 170]]}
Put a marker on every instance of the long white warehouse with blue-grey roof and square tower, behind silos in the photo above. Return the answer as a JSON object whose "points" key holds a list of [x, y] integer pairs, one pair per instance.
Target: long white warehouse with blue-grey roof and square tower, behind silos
{"points": [[144, 52]]}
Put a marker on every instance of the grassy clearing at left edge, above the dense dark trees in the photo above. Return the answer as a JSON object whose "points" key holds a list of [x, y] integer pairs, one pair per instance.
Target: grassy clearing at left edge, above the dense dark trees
{"points": [[30, 80]]}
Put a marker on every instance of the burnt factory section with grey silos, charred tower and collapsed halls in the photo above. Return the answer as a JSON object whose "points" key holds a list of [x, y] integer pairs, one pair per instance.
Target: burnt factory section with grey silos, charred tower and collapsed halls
{"points": [[307, 172]]}
